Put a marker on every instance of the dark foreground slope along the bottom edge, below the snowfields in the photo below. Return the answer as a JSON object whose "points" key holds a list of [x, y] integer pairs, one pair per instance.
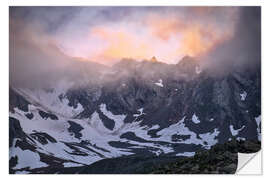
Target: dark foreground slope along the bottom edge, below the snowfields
{"points": [[220, 159]]}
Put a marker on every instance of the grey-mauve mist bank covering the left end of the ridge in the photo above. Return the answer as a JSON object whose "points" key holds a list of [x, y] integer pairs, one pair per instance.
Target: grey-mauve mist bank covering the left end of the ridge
{"points": [[35, 60]]}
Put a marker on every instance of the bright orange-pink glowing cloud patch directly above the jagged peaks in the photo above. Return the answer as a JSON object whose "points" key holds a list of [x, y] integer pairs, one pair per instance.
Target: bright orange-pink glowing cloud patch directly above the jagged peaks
{"points": [[167, 37]]}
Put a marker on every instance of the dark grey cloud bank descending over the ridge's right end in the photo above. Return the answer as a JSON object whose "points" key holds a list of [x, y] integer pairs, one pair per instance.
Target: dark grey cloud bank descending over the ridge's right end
{"points": [[243, 51]]}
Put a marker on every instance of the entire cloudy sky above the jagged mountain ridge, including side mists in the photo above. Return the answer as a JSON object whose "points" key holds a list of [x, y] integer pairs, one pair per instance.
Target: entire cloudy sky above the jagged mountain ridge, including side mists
{"points": [[44, 40]]}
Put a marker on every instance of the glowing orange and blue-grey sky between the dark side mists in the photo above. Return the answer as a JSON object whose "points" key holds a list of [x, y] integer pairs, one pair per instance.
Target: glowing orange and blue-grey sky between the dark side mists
{"points": [[107, 34]]}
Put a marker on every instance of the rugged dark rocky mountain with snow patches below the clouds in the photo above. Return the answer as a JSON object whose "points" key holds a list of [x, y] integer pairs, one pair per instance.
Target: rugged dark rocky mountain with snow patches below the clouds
{"points": [[134, 108]]}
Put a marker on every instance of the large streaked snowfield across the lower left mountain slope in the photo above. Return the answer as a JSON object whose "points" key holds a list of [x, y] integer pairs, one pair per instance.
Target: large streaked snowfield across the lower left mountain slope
{"points": [[95, 140]]}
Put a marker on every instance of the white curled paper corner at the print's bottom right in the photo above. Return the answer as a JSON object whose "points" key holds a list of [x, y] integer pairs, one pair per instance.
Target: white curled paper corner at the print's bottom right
{"points": [[249, 164]]}
